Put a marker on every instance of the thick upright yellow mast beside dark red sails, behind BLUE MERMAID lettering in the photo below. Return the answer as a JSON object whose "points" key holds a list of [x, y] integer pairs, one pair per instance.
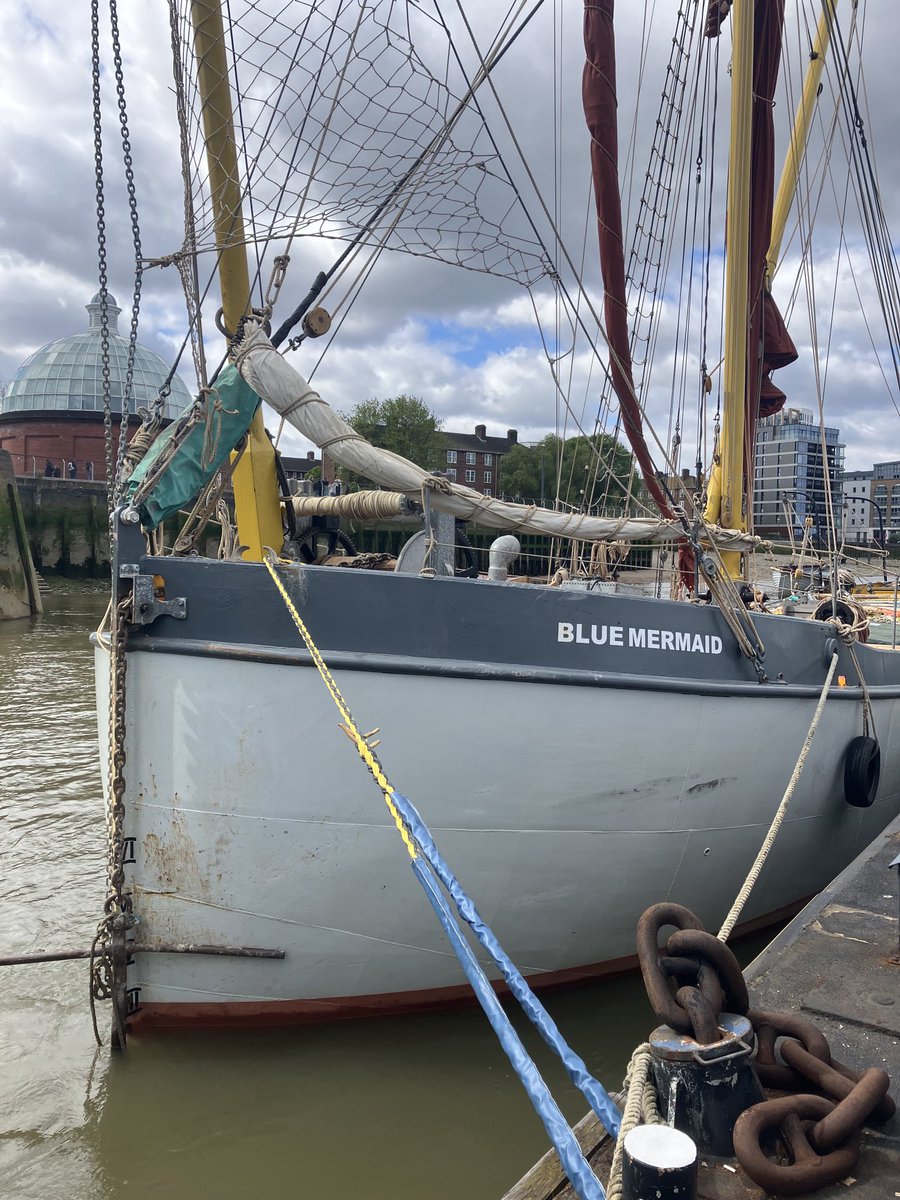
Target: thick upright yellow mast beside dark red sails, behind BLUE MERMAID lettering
{"points": [[727, 502]]}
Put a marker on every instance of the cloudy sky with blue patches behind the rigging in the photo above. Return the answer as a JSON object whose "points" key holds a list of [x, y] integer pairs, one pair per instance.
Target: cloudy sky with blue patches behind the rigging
{"points": [[465, 343]]}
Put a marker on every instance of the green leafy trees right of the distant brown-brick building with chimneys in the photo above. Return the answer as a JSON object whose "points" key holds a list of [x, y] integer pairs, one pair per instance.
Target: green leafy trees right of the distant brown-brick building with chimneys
{"points": [[578, 471]]}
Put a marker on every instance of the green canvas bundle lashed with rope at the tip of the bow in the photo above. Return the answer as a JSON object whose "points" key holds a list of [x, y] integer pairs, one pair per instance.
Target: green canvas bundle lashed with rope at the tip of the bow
{"points": [[196, 461]]}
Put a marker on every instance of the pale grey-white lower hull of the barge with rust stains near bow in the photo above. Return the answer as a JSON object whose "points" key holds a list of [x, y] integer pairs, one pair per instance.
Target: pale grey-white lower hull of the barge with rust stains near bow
{"points": [[565, 812]]}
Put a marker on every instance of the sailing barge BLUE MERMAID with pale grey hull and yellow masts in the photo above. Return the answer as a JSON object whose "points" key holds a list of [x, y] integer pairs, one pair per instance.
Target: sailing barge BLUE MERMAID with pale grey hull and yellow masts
{"points": [[578, 755]]}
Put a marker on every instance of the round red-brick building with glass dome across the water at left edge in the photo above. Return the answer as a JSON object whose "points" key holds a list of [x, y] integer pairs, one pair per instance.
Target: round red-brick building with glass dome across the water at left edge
{"points": [[52, 416]]}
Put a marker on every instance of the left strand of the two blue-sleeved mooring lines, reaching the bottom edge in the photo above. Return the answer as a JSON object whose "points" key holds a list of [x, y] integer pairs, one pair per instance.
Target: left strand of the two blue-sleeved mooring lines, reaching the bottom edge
{"points": [[577, 1167]]}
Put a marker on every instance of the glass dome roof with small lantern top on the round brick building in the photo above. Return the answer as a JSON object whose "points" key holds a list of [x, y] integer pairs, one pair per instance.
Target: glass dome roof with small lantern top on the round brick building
{"points": [[68, 375]]}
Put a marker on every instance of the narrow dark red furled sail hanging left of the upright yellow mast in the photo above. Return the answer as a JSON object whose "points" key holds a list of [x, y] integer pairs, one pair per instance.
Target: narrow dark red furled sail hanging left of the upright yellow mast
{"points": [[599, 101]]}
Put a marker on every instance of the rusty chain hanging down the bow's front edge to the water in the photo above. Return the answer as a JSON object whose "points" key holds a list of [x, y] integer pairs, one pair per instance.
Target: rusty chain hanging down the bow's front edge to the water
{"points": [[107, 963]]}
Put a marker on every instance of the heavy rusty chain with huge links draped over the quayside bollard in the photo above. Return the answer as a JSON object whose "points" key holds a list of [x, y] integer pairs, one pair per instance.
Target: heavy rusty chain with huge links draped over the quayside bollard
{"points": [[691, 982]]}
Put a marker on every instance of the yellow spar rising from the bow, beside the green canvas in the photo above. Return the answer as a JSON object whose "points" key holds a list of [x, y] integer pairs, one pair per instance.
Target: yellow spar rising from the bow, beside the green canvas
{"points": [[256, 490]]}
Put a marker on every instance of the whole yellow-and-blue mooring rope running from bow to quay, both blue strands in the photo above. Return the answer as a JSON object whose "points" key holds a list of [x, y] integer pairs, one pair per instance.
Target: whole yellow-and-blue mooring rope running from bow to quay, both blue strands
{"points": [[431, 871]]}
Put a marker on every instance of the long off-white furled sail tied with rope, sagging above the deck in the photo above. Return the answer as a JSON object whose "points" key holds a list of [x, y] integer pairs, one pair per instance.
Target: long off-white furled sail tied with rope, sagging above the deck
{"points": [[273, 379]]}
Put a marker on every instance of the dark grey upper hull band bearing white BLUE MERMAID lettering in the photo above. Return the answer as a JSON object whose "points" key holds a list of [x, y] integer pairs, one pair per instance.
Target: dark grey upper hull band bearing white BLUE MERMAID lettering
{"points": [[400, 623]]}
